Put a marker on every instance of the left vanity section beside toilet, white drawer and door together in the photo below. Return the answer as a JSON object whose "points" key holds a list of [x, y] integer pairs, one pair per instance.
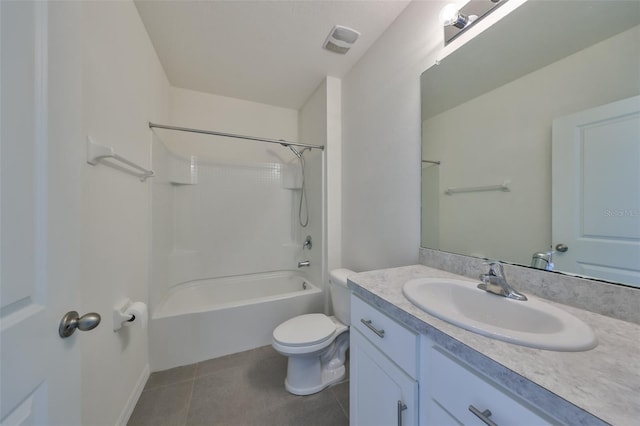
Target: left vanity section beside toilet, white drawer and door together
{"points": [[383, 364]]}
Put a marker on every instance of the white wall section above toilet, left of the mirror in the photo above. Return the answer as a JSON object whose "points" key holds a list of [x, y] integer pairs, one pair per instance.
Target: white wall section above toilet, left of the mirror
{"points": [[381, 142]]}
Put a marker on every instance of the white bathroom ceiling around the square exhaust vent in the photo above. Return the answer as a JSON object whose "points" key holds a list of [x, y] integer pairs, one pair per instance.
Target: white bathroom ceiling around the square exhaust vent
{"points": [[267, 51]]}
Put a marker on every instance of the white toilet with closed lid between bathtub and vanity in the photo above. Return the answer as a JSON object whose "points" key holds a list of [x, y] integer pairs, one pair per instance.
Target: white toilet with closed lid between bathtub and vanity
{"points": [[316, 343]]}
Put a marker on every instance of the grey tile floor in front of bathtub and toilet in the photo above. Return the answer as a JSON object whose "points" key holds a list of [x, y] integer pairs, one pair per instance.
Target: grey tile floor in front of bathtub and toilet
{"points": [[243, 389]]}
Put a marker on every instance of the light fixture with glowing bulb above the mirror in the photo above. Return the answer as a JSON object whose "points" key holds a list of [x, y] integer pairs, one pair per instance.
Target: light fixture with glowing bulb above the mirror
{"points": [[456, 18]]}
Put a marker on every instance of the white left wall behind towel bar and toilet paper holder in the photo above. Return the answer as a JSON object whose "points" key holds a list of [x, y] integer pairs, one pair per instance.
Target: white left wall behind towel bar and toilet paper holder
{"points": [[124, 86]]}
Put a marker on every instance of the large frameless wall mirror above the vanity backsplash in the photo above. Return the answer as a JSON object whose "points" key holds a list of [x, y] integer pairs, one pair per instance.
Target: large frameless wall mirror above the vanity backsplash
{"points": [[497, 178]]}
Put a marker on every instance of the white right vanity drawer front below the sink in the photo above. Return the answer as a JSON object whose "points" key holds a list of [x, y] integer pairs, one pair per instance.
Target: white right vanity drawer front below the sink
{"points": [[455, 387]]}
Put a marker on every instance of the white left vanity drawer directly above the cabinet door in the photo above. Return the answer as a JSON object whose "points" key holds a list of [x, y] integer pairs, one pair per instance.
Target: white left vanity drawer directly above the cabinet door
{"points": [[394, 340]]}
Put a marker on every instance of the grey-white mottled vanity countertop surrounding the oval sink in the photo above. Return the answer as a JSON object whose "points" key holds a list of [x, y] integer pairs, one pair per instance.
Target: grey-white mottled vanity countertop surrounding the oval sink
{"points": [[600, 384]]}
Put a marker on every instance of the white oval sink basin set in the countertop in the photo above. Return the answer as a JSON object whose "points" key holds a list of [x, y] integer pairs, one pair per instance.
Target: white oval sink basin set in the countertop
{"points": [[531, 323]]}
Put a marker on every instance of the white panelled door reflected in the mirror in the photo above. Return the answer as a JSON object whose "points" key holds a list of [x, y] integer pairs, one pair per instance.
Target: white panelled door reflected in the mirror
{"points": [[596, 191]]}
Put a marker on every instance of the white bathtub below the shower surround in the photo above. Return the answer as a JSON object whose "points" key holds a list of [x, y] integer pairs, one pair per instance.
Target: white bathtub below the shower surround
{"points": [[206, 319]]}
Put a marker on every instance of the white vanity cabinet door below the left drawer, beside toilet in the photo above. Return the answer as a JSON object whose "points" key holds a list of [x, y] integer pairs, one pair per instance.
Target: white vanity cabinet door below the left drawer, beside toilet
{"points": [[379, 389]]}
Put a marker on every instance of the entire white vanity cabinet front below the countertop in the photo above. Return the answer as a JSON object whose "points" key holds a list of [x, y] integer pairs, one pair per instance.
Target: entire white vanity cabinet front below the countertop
{"points": [[400, 377]]}
